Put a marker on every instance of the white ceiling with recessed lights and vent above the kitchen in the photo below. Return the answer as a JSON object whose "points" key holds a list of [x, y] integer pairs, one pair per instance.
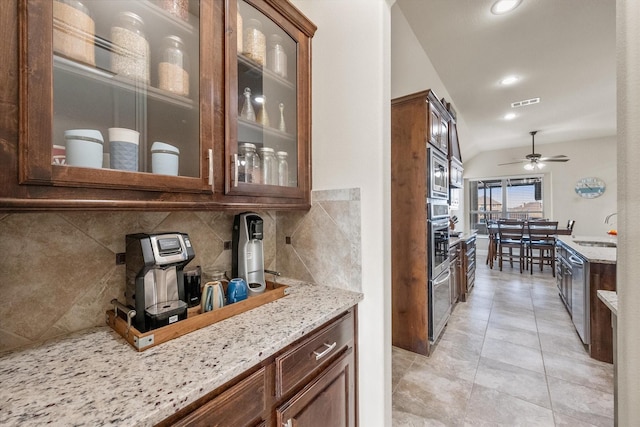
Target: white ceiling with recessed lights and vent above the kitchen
{"points": [[563, 51]]}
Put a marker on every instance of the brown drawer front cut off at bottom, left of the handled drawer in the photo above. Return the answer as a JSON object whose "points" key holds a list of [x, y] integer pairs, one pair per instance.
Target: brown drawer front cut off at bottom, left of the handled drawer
{"points": [[241, 405]]}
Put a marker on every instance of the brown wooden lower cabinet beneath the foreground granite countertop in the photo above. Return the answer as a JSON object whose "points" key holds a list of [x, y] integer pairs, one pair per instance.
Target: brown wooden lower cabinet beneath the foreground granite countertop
{"points": [[311, 382]]}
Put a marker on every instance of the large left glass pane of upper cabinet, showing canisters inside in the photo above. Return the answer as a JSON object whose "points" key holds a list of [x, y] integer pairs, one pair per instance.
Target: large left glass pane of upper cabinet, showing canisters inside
{"points": [[126, 85]]}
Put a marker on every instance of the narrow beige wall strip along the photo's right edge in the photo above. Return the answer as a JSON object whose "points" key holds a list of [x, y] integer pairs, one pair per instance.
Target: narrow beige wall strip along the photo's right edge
{"points": [[628, 268]]}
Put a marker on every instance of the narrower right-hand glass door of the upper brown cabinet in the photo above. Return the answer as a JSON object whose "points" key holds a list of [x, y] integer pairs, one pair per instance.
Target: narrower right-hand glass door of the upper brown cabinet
{"points": [[268, 148]]}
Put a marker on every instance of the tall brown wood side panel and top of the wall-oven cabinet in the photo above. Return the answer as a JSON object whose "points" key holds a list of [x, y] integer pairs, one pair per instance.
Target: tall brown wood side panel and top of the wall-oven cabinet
{"points": [[416, 120]]}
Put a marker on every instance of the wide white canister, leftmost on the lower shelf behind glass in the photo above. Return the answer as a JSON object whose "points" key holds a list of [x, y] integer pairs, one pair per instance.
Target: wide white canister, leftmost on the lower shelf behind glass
{"points": [[84, 148]]}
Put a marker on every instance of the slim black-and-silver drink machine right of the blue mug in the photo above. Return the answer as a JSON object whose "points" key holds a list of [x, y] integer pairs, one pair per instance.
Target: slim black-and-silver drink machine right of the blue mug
{"points": [[247, 252]]}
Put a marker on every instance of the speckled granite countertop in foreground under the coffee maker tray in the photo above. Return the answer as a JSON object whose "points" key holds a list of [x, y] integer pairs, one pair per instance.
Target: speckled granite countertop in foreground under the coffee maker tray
{"points": [[95, 377]]}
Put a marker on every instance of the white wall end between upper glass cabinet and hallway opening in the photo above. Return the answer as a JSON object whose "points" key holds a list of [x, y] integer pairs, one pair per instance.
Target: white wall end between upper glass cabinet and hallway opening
{"points": [[351, 148]]}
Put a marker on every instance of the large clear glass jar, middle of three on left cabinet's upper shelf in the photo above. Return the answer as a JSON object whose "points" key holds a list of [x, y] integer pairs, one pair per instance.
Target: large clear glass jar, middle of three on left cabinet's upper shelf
{"points": [[130, 56]]}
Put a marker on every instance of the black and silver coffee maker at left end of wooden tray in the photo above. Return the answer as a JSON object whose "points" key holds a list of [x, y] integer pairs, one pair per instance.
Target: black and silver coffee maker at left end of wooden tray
{"points": [[155, 278]]}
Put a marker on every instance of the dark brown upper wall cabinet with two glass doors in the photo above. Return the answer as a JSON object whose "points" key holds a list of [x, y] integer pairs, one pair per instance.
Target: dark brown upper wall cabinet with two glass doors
{"points": [[46, 92]]}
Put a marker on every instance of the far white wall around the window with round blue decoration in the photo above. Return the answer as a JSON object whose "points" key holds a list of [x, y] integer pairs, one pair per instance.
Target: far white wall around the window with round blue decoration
{"points": [[594, 157]]}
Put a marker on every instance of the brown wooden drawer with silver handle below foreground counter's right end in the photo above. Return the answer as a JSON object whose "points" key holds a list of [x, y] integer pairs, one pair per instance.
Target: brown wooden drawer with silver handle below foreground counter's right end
{"points": [[299, 363]]}
